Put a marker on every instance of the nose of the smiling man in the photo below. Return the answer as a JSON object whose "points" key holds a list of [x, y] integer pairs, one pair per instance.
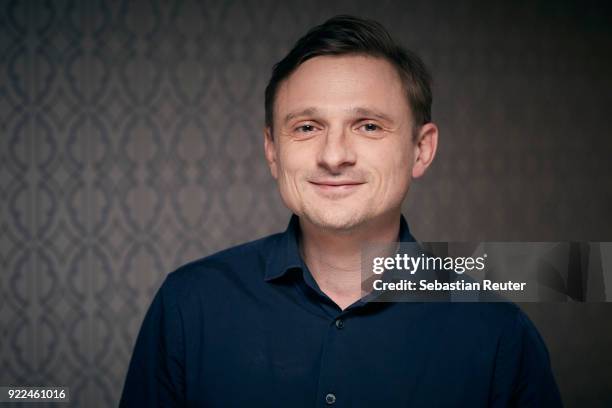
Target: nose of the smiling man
{"points": [[336, 151]]}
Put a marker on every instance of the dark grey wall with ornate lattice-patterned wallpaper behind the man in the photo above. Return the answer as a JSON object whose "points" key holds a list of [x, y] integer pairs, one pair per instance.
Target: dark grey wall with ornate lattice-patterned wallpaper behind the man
{"points": [[131, 143]]}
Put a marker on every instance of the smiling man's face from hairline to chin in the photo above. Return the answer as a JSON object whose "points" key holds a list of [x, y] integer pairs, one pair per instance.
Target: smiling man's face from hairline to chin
{"points": [[342, 149]]}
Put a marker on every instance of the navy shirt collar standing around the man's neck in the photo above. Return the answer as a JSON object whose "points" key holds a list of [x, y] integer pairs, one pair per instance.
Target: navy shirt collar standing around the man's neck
{"points": [[285, 253]]}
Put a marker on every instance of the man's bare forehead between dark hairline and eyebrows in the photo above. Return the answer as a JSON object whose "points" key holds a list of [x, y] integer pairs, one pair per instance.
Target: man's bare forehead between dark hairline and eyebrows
{"points": [[334, 83]]}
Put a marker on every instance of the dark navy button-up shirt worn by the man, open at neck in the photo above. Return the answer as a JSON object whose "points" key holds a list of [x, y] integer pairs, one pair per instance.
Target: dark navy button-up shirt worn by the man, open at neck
{"points": [[249, 327]]}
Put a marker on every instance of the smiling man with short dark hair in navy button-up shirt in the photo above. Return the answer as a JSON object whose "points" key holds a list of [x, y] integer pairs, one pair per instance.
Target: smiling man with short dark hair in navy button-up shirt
{"points": [[280, 322]]}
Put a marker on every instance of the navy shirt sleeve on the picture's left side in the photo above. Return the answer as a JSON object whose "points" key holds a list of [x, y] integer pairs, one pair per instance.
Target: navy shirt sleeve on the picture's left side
{"points": [[155, 375]]}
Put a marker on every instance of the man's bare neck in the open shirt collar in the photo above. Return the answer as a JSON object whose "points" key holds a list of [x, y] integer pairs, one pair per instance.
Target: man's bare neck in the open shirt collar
{"points": [[334, 258]]}
